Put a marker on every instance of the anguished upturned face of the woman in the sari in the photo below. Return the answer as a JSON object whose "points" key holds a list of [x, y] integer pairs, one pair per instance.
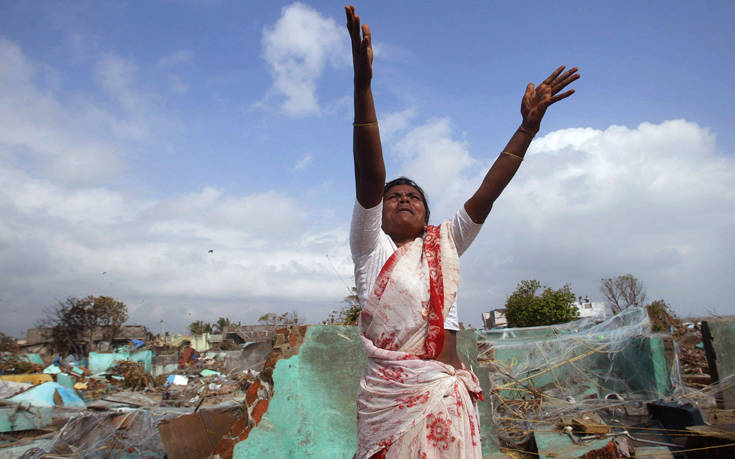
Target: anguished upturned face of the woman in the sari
{"points": [[404, 214]]}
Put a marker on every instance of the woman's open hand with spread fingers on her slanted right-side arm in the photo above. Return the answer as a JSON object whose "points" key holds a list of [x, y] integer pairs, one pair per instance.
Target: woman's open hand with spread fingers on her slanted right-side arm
{"points": [[537, 99]]}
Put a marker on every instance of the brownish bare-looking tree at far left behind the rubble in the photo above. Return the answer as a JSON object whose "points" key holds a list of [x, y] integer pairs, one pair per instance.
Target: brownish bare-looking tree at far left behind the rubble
{"points": [[74, 320]]}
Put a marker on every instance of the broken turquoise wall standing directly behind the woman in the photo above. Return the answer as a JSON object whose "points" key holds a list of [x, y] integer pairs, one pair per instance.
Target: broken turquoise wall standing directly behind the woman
{"points": [[313, 412]]}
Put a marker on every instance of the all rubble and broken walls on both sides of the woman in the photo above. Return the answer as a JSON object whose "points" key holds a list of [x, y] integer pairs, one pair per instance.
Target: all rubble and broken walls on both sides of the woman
{"points": [[584, 389]]}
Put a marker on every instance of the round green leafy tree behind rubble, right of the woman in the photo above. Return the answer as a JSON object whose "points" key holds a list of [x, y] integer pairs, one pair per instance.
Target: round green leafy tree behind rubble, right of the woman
{"points": [[526, 309]]}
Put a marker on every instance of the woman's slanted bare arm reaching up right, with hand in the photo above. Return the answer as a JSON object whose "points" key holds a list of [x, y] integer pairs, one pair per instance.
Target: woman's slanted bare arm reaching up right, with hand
{"points": [[533, 106]]}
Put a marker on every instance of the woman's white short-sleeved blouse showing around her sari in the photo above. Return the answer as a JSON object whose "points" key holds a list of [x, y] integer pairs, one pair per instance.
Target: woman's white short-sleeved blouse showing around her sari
{"points": [[371, 248]]}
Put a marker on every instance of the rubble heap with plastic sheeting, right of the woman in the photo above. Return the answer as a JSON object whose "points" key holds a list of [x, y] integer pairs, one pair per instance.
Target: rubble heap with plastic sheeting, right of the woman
{"points": [[606, 389]]}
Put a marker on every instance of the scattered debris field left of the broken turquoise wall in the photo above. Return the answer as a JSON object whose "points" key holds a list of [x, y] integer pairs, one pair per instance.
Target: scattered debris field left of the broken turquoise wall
{"points": [[78, 408]]}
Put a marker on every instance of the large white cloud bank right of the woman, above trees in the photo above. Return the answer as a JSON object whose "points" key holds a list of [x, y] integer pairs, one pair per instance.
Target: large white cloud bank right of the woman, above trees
{"points": [[656, 201]]}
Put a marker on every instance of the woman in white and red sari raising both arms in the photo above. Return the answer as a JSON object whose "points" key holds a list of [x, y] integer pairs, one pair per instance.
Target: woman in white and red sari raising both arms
{"points": [[416, 398]]}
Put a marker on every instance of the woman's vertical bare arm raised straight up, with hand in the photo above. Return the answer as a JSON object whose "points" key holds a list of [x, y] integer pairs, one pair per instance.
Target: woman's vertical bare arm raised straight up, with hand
{"points": [[366, 149]]}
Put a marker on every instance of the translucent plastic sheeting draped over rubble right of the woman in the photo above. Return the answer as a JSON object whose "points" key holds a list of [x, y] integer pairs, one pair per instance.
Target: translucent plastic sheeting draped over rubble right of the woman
{"points": [[542, 373]]}
